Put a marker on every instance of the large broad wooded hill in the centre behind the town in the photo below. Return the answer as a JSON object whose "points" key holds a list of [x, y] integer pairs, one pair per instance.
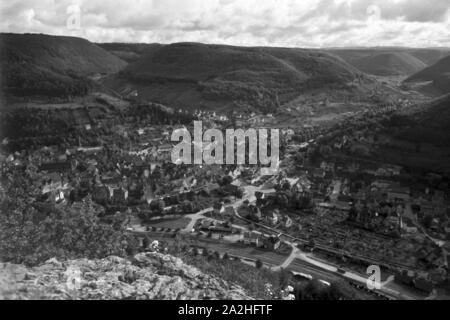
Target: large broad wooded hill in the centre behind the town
{"points": [[192, 74]]}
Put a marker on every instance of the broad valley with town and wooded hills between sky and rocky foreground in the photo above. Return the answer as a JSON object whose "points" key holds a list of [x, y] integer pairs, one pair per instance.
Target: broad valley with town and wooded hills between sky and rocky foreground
{"points": [[364, 176]]}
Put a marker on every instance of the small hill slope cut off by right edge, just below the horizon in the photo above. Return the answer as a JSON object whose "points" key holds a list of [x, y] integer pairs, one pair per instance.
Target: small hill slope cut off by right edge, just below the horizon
{"points": [[438, 75]]}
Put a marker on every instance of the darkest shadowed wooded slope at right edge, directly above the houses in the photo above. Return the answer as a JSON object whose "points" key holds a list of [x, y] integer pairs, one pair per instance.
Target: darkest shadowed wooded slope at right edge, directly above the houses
{"points": [[417, 137]]}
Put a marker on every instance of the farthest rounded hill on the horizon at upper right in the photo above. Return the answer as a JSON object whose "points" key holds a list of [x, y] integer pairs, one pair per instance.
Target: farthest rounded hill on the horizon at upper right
{"points": [[391, 61]]}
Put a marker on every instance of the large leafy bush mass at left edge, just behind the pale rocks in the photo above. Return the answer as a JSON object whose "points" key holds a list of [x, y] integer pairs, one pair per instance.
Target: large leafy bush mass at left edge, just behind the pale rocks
{"points": [[32, 234]]}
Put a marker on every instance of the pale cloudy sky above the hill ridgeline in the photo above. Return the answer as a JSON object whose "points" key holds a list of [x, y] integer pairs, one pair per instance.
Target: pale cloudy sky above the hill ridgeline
{"points": [[294, 23]]}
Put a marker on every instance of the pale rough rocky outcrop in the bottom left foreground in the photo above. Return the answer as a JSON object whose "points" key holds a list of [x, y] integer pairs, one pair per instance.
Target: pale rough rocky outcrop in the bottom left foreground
{"points": [[148, 275]]}
